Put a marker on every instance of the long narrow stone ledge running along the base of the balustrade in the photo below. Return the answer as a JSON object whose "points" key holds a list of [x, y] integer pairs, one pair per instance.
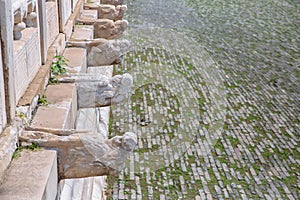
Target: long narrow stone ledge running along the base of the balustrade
{"points": [[28, 102]]}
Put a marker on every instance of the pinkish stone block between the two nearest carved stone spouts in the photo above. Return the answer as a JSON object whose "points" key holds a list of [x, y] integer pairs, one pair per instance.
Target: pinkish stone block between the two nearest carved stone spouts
{"points": [[61, 110]]}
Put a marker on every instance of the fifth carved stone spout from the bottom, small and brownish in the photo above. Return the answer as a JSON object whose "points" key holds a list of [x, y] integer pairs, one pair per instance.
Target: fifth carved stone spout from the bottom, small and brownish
{"points": [[106, 11]]}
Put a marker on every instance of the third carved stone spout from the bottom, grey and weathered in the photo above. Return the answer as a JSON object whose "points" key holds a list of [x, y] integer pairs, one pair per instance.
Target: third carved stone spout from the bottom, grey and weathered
{"points": [[103, 52]]}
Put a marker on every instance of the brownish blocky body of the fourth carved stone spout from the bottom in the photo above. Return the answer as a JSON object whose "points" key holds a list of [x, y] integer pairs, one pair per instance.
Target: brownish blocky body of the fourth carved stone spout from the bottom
{"points": [[108, 29]]}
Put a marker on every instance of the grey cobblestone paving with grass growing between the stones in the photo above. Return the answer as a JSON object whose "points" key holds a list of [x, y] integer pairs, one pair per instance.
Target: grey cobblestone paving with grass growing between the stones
{"points": [[215, 103]]}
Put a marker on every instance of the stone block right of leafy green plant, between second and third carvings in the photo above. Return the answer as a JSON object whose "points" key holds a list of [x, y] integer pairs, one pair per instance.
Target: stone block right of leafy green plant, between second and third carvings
{"points": [[77, 59]]}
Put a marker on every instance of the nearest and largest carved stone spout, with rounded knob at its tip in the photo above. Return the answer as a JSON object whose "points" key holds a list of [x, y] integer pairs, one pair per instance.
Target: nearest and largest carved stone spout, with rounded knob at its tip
{"points": [[85, 154]]}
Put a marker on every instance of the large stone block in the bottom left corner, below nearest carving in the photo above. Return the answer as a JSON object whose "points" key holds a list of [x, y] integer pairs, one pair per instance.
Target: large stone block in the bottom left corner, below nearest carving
{"points": [[32, 176]]}
